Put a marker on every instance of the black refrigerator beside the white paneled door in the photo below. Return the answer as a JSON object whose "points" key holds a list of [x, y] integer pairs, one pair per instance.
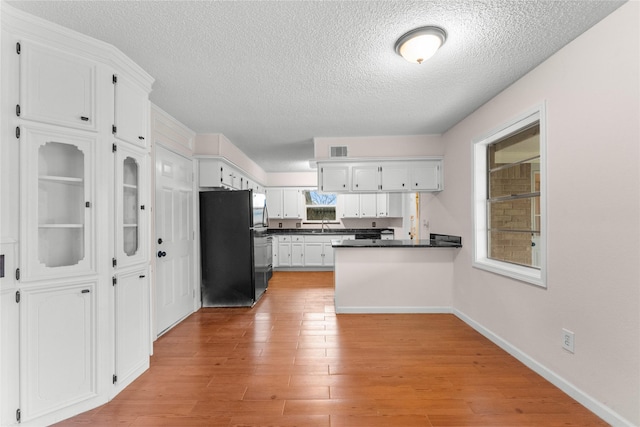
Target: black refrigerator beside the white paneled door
{"points": [[233, 256]]}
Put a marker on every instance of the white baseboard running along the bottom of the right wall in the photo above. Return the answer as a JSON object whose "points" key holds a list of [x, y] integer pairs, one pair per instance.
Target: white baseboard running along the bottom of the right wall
{"points": [[598, 408]]}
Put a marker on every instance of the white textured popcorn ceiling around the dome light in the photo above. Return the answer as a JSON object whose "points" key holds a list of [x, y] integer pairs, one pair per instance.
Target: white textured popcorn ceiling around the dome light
{"points": [[272, 75]]}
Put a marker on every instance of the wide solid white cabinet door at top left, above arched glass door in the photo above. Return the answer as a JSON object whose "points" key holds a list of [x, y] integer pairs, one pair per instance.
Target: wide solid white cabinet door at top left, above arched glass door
{"points": [[57, 87]]}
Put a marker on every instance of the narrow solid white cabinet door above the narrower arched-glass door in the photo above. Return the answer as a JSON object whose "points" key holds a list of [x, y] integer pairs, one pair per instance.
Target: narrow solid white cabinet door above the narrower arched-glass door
{"points": [[131, 111]]}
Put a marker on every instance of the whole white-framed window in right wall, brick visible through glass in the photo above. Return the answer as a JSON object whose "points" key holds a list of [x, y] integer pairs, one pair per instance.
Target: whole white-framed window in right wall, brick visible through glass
{"points": [[509, 200]]}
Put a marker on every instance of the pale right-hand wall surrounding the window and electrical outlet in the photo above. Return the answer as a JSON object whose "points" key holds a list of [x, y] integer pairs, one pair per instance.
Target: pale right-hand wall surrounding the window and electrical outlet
{"points": [[591, 89]]}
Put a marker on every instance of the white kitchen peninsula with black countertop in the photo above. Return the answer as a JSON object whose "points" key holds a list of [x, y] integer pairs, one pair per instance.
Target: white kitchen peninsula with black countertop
{"points": [[395, 276]]}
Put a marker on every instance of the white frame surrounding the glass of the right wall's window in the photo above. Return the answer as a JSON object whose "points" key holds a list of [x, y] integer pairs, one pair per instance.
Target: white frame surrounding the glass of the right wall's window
{"points": [[531, 275]]}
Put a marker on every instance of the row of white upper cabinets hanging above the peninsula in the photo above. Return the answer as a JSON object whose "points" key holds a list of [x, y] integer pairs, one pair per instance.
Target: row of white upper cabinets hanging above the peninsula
{"points": [[407, 175]]}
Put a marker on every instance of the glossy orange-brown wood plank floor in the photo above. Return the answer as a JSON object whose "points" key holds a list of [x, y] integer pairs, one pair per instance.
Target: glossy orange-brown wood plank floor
{"points": [[290, 361]]}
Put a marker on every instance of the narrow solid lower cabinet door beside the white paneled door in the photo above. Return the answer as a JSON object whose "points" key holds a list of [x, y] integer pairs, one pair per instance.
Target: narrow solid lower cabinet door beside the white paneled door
{"points": [[132, 333]]}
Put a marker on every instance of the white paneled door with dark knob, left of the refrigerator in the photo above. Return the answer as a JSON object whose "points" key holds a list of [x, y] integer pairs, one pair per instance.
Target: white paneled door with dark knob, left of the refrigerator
{"points": [[175, 289]]}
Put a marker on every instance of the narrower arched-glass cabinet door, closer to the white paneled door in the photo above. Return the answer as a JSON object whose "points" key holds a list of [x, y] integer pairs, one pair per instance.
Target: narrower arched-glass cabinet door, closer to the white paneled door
{"points": [[131, 208]]}
